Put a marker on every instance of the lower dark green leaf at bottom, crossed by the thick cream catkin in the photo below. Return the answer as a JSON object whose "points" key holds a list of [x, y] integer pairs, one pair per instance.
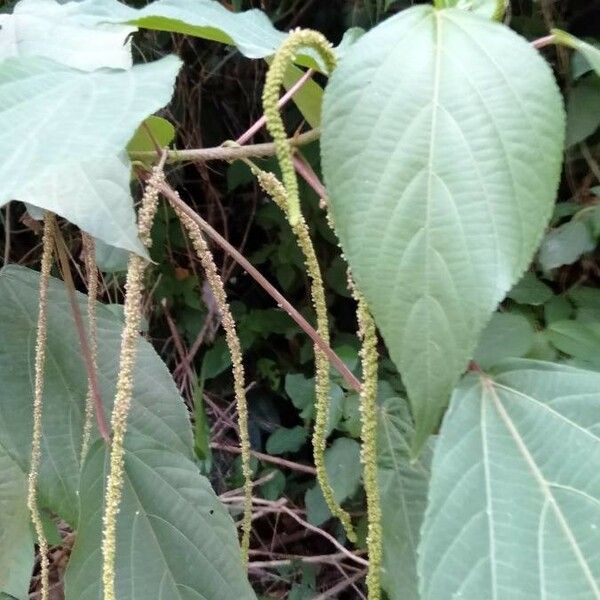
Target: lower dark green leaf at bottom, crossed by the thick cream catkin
{"points": [[174, 538]]}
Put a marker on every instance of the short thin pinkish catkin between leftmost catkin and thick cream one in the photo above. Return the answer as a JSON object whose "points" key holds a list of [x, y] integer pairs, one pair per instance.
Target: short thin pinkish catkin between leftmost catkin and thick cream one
{"points": [[89, 257]]}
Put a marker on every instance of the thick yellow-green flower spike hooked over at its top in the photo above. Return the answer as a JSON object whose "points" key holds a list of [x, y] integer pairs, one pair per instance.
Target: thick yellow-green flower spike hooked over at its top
{"points": [[297, 39]]}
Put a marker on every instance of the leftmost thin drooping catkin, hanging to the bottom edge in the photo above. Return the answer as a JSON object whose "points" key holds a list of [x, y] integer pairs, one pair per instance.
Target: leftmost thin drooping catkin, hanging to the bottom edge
{"points": [[38, 396]]}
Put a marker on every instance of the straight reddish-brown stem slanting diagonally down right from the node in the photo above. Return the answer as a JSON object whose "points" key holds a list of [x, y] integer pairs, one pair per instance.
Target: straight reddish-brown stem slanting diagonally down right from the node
{"points": [[334, 359]]}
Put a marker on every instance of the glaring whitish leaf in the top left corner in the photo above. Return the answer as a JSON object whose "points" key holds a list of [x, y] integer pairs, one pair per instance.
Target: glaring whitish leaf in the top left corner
{"points": [[68, 33]]}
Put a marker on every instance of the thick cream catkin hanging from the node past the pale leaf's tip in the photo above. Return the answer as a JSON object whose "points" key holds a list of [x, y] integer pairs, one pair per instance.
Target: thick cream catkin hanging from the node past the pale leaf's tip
{"points": [[134, 288]]}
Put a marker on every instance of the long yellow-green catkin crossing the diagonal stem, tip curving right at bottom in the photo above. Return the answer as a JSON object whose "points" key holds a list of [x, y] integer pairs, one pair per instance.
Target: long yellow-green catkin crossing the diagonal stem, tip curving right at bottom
{"points": [[272, 186]]}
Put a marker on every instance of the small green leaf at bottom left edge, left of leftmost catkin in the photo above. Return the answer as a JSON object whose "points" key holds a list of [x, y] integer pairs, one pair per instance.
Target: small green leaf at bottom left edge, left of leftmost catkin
{"points": [[16, 541]]}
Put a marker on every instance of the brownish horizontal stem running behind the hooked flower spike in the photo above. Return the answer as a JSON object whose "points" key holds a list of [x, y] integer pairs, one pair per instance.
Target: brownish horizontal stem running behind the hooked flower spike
{"points": [[226, 152]]}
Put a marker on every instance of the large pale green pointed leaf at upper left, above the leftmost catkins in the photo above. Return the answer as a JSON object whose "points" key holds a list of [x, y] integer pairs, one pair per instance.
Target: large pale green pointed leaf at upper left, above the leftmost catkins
{"points": [[63, 134]]}
